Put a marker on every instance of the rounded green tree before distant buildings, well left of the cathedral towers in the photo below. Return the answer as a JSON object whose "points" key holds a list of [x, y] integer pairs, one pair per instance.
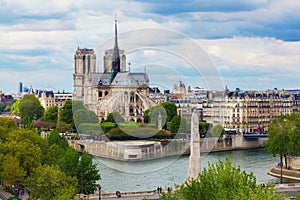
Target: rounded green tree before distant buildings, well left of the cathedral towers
{"points": [[30, 109]]}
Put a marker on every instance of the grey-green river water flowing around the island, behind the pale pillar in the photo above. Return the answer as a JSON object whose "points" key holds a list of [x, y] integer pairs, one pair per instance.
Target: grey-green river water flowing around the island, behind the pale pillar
{"points": [[148, 175]]}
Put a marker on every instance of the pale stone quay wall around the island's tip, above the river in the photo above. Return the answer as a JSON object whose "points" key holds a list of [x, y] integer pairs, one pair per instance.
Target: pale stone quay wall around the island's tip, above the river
{"points": [[147, 150]]}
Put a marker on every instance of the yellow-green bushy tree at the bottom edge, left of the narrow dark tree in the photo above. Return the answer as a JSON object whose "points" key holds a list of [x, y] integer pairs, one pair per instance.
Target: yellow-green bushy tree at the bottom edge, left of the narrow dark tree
{"points": [[49, 182]]}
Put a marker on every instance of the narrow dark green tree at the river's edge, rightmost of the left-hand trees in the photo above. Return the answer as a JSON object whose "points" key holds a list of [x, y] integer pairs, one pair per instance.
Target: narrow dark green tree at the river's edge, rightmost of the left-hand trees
{"points": [[87, 174]]}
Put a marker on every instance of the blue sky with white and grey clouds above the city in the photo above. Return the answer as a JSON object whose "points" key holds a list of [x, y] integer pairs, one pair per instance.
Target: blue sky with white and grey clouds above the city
{"points": [[250, 44]]}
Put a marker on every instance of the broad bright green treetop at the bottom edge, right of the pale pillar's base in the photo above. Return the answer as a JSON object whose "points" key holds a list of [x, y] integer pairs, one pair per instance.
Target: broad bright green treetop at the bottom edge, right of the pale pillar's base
{"points": [[222, 181]]}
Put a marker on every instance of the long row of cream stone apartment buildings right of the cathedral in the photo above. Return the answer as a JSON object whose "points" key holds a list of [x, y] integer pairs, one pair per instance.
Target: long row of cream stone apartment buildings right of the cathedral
{"points": [[249, 111]]}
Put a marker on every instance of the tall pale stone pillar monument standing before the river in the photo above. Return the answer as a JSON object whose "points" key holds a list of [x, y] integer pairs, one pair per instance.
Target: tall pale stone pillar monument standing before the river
{"points": [[194, 167]]}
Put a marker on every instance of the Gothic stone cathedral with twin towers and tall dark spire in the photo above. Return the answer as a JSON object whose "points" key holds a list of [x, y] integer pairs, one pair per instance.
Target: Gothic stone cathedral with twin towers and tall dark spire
{"points": [[113, 90]]}
